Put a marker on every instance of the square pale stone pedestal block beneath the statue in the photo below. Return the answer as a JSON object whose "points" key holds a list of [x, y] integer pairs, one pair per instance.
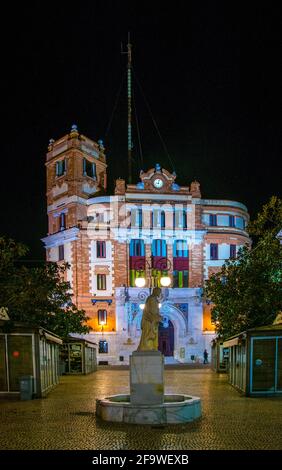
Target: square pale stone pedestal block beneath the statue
{"points": [[146, 378]]}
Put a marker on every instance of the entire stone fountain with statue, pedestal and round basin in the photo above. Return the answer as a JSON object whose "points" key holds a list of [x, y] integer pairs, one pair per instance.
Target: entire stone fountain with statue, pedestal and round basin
{"points": [[147, 402]]}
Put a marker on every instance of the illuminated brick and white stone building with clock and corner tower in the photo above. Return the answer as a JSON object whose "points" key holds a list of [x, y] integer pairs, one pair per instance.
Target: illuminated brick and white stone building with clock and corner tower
{"points": [[154, 227]]}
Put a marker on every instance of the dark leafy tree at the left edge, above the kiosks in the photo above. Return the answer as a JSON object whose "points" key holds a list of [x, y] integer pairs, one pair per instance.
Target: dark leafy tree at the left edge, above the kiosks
{"points": [[38, 295]]}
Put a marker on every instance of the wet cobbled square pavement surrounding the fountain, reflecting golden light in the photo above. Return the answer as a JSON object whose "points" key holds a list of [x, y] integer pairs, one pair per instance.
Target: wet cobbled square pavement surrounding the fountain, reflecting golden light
{"points": [[66, 418]]}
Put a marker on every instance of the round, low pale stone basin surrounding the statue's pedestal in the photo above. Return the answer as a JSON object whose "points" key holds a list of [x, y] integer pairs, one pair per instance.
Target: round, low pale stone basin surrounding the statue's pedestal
{"points": [[175, 409]]}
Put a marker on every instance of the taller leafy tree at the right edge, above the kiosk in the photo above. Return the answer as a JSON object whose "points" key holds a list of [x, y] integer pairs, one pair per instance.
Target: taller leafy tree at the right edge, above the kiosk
{"points": [[247, 292]]}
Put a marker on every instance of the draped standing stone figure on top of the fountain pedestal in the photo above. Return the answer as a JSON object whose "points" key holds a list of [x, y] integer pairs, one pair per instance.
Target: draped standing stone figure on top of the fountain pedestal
{"points": [[150, 322]]}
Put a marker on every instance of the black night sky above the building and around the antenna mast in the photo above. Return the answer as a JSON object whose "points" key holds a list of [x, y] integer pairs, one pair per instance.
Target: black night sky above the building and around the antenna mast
{"points": [[212, 78]]}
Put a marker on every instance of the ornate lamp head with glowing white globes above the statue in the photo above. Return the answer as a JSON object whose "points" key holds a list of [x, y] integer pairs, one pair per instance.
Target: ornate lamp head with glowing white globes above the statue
{"points": [[162, 264]]}
